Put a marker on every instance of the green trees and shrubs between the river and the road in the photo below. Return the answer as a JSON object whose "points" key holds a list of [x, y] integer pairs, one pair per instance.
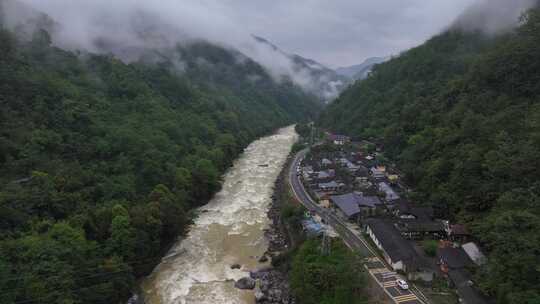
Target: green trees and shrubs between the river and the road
{"points": [[335, 278]]}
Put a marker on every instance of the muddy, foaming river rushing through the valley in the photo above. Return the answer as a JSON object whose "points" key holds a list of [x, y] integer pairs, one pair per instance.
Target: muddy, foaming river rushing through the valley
{"points": [[228, 230]]}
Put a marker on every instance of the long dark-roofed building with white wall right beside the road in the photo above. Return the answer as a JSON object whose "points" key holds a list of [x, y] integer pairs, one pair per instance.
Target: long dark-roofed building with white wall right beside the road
{"points": [[397, 252]]}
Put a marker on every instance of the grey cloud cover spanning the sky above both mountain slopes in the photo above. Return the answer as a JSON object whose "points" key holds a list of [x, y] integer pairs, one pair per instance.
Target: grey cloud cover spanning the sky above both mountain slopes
{"points": [[337, 32]]}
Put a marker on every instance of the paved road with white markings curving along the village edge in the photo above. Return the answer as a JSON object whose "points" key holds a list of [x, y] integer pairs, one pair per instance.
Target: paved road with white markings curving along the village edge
{"points": [[384, 276]]}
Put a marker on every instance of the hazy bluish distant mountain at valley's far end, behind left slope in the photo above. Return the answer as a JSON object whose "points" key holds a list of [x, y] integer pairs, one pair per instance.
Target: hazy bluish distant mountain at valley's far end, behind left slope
{"points": [[317, 78]]}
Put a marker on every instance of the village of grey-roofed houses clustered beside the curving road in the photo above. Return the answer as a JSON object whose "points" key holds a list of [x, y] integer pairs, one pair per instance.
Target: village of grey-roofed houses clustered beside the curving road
{"points": [[355, 182]]}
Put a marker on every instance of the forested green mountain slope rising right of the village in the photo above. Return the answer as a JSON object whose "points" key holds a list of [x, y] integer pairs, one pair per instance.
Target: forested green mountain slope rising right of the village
{"points": [[461, 116]]}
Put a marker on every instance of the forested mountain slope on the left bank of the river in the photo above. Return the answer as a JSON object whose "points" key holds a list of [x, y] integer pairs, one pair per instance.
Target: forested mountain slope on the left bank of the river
{"points": [[101, 161]]}
